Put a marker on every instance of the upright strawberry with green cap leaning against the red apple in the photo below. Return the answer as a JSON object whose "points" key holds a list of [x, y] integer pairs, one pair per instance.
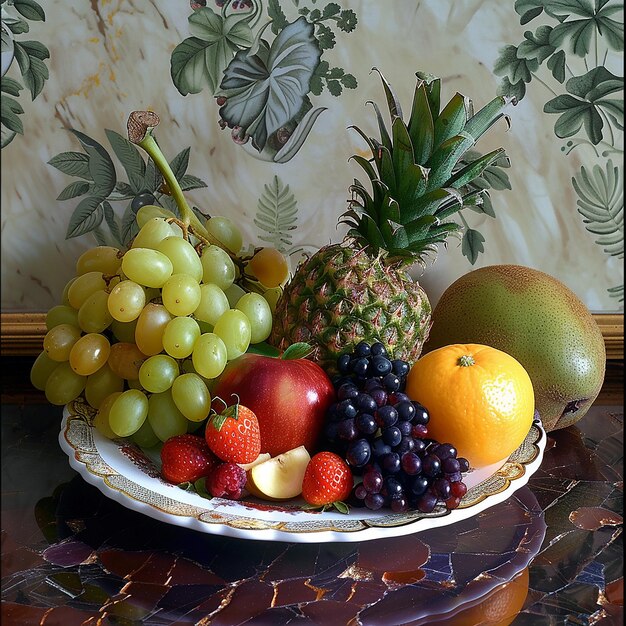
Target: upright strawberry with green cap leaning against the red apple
{"points": [[234, 435]]}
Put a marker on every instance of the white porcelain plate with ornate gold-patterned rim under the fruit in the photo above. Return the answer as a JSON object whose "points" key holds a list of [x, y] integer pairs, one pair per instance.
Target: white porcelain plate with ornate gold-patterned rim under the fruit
{"points": [[130, 476]]}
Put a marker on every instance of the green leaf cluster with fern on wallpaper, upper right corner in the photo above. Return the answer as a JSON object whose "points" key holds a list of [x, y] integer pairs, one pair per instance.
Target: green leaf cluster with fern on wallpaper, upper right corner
{"points": [[586, 97]]}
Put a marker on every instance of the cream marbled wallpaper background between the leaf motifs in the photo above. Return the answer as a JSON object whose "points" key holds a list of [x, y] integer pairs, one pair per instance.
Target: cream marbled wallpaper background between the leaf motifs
{"points": [[109, 58]]}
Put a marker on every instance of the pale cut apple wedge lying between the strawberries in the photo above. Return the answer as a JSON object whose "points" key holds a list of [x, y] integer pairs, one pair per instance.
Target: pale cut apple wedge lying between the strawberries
{"points": [[280, 477]]}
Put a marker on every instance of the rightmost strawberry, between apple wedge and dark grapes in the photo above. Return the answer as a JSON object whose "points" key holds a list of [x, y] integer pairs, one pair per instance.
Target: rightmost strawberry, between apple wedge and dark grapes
{"points": [[327, 481]]}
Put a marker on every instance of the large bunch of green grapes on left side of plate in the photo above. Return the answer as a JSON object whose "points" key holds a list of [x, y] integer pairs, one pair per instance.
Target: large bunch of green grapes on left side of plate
{"points": [[143, 334]]}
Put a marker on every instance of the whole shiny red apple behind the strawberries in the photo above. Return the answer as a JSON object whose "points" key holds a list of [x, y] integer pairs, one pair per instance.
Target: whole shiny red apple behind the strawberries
{"points": [[290, 398]]}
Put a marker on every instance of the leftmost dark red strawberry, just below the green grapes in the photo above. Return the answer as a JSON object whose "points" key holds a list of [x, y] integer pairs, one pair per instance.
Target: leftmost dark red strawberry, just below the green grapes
{"points": [[186, 458]]}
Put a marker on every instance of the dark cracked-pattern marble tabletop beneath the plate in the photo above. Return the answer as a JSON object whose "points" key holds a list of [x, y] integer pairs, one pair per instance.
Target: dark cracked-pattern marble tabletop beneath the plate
{"points": [[550, 554]]}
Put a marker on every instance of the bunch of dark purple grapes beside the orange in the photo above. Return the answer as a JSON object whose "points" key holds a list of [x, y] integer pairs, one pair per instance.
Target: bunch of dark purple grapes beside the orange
{"points": [[383, 436]]}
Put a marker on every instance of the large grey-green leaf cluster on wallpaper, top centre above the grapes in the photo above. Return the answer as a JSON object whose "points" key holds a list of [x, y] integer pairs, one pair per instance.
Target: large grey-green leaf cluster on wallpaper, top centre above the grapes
{"points": [[263, 70]]}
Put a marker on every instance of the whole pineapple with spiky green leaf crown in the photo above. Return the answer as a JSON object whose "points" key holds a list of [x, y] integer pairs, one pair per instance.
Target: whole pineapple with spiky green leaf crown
{"points": [[420, 174]]}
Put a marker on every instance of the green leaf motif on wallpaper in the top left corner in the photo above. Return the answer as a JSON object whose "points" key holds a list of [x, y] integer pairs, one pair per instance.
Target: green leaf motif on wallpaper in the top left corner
{"points": [[23, 57]]}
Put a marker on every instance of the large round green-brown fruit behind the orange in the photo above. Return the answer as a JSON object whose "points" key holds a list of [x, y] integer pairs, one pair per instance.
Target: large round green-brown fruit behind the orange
{"points": [[536, 319]]}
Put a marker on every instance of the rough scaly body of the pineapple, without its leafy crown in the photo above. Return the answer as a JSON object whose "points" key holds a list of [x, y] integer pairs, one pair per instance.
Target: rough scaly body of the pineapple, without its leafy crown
{"points": [[342, 295]]}
